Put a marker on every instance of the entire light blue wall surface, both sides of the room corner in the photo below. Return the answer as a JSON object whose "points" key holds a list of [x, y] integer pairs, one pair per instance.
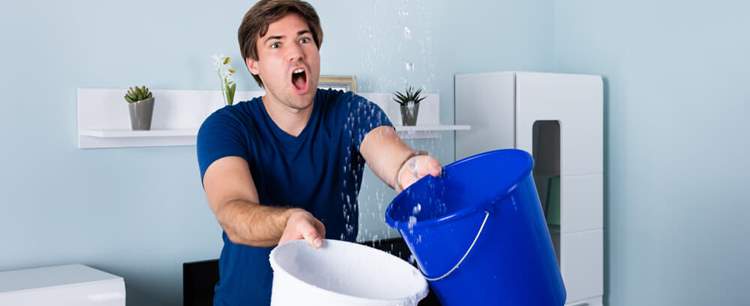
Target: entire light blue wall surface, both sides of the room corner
{"points": [[676, 144]]}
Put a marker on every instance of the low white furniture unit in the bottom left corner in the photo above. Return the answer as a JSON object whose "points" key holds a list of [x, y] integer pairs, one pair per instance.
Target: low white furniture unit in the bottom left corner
{"points": [[68, 285]]}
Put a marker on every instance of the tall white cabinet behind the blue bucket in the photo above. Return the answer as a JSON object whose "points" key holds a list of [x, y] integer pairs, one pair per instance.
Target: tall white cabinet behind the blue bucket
{"points": [[559, 119]]}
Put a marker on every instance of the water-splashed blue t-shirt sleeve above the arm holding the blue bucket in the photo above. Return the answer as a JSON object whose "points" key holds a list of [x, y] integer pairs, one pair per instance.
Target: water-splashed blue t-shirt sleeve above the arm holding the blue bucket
{"points": [[366, 116]]}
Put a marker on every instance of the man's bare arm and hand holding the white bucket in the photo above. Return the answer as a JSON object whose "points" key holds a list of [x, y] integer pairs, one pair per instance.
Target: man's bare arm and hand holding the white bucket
{"points": [[233, 198]]}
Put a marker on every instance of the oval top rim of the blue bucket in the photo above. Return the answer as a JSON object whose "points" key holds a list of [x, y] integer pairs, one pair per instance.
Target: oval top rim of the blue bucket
{"points": [[464, 212]]}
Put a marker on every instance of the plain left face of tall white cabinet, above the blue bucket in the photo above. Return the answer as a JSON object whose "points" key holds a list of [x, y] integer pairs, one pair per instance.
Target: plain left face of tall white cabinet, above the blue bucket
{"points": [[486, 102]]}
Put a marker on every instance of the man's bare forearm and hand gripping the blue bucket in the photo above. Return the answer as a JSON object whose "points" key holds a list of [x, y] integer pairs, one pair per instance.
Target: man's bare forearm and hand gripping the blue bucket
{"points": [[387, 155]]}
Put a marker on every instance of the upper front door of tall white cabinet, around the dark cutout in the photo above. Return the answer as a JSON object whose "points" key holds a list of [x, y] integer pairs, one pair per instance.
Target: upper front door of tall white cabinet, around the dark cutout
{"points": [[576, 102]]}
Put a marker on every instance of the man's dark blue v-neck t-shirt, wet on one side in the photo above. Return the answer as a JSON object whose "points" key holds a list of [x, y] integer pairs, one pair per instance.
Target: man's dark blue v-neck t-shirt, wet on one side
{"points": [[320, 170]]}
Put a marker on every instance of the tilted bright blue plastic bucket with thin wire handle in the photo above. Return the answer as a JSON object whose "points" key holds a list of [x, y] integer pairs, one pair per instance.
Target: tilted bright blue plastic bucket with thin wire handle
{"points": [[478, 233]]}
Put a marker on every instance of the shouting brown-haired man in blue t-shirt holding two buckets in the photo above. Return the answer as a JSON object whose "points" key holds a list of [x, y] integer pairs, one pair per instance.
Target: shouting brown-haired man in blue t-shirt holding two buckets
{"points": [[288, 165]]}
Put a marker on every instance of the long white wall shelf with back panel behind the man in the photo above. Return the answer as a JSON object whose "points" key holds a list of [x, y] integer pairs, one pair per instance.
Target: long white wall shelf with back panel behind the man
{"points": [[103, 119]]}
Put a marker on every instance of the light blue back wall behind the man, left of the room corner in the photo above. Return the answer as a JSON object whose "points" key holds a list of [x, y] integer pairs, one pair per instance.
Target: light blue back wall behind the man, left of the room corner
{"points": [[140, 212]]}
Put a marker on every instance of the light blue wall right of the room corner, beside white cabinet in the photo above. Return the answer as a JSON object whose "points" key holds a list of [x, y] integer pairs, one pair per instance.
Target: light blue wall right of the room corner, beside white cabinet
{"points": [[677, 144]]}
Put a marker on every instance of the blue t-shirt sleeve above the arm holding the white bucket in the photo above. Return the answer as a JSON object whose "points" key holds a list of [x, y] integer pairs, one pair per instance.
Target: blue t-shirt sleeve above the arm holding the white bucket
{"points": [[220, 135]]}
